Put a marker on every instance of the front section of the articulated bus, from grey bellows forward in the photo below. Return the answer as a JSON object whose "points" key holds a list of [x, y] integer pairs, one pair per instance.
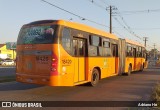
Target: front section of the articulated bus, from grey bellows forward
{"points": [[132, 56]]}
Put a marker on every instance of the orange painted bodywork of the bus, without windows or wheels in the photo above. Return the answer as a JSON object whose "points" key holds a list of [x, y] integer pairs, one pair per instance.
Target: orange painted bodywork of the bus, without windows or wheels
{"points": [[78, 71]]}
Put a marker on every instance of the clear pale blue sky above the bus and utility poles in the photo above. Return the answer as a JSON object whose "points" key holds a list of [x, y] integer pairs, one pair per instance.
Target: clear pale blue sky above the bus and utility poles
{"points": [[132, 19]]}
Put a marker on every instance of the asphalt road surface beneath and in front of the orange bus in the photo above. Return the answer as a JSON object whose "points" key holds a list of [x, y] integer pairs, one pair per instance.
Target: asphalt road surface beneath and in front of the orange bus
{"points": [[137, 86]]}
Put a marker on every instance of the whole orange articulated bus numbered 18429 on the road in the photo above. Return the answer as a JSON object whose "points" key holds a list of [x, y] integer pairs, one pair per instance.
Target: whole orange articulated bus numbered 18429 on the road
{"points": [[63, 53]]}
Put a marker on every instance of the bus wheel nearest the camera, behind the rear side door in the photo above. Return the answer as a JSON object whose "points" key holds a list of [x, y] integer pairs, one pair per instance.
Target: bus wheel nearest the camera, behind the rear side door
{"points": [[94, 77]]}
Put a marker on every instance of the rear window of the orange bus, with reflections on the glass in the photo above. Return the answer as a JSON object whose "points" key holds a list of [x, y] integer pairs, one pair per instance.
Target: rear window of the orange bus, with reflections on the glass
{"points": [[36, 35]]}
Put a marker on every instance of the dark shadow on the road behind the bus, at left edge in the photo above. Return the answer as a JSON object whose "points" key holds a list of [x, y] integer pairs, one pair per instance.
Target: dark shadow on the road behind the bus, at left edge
{"points": [[17, 86]]}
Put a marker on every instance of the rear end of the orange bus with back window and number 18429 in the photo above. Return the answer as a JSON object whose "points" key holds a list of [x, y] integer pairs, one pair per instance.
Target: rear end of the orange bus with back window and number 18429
{"points": [[37, 53]]}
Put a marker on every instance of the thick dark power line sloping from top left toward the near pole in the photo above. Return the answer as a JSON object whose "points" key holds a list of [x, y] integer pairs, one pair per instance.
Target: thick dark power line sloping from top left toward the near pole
{"points": [[82, 18]]}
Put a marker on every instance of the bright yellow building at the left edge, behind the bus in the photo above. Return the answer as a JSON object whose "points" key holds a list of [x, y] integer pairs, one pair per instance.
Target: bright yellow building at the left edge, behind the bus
{"points": [[7, 53]]}
